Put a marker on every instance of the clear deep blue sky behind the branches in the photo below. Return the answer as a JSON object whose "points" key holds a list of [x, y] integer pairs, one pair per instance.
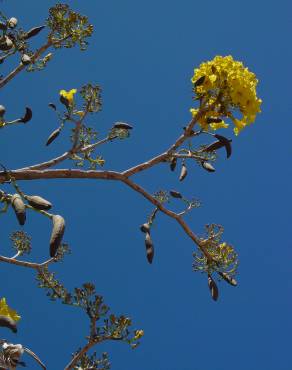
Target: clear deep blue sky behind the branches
{"points": [[142, 54]]}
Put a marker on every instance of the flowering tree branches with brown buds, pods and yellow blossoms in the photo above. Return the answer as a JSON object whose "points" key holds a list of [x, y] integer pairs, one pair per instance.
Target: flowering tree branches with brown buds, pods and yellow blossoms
{"points": [[224, 95]]}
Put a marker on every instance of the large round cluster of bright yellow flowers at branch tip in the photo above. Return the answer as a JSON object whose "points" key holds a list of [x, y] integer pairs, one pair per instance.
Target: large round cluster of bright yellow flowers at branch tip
{"points": [[226, 85]]}
